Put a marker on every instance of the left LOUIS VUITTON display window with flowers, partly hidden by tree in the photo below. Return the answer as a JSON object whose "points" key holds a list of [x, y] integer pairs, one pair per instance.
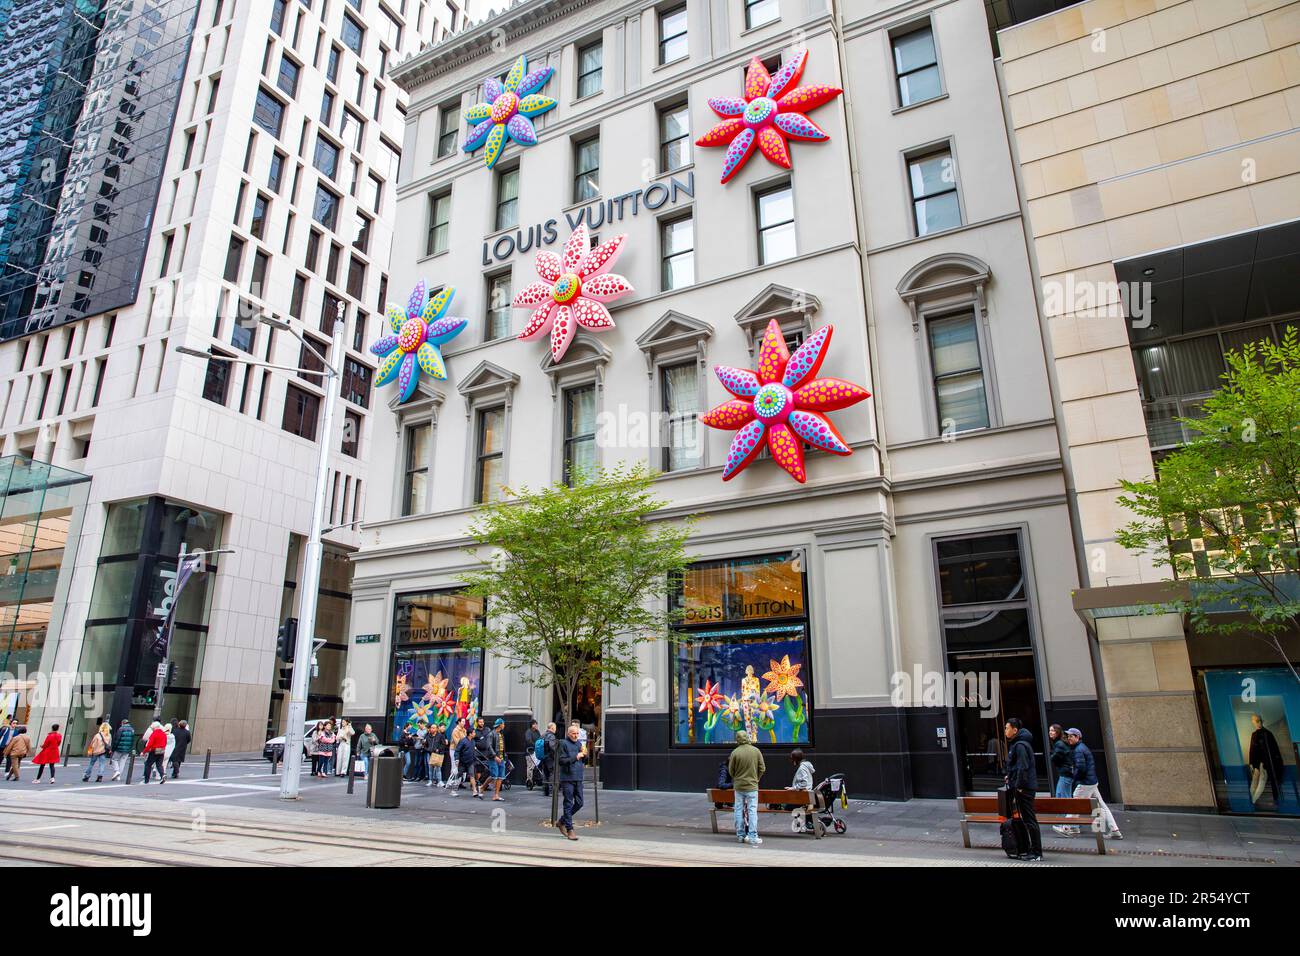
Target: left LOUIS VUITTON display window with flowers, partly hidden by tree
{"points": [[435, 680]]}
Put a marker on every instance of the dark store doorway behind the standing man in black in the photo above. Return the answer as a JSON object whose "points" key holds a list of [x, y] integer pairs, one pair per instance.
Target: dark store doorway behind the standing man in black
{"points": [[981, 719]]}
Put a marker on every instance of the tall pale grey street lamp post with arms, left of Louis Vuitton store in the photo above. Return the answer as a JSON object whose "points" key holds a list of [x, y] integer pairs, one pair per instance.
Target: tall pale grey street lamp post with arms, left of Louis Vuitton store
{"points": [[297, 716]]}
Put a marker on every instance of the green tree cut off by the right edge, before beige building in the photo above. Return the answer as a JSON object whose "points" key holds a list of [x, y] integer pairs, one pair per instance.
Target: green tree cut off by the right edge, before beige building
{"points": [[1236, 486]]}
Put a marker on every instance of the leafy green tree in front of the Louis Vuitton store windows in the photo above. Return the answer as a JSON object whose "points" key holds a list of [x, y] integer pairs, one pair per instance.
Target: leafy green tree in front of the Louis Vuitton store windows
{"points": [[575, 579]]}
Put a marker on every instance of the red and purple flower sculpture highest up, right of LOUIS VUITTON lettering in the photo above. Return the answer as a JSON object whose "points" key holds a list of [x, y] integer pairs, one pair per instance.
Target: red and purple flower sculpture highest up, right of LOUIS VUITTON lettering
{"points": [[769, 116]]}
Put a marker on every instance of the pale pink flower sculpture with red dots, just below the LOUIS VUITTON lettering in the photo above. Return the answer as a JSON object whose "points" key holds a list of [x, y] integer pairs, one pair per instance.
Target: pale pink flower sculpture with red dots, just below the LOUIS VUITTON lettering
{"points": [[573, 292]]}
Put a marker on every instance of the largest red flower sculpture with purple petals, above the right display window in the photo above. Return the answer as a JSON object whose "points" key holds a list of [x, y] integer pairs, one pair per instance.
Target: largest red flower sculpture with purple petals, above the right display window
{"points": [[783, 403]]}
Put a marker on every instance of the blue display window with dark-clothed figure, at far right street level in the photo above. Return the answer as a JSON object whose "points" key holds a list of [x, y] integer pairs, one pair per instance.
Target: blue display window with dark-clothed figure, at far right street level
{"points": [[1254, 717]]}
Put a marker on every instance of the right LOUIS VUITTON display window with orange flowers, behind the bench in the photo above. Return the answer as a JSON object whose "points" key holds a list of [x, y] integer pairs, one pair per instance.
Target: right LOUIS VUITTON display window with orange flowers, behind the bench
{"points": [[742, 656]]}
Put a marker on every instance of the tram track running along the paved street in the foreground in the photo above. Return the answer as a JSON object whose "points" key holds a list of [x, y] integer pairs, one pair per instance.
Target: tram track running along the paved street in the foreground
{"points": [[461, 850]]}
